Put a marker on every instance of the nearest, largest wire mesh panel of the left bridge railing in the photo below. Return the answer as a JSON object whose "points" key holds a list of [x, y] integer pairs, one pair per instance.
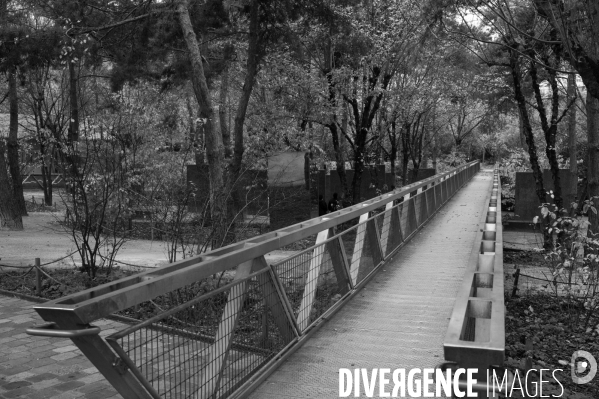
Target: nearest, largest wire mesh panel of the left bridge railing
{"points": [[208, 346]]}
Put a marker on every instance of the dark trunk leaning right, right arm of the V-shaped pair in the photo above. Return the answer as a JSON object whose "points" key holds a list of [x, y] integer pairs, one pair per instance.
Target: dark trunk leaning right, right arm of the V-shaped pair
{"points": [[253, 61]]}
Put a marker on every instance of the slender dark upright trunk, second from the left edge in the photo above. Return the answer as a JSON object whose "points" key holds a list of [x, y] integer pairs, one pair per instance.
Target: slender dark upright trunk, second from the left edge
{"points": [[13, 143]]}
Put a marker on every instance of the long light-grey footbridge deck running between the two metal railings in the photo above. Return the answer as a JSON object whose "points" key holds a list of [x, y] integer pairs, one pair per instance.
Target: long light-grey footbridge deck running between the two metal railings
{"points": [[400, 318]]}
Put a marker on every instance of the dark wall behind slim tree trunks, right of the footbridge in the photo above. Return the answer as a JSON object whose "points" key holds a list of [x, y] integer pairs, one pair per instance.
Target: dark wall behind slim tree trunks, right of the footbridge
{"points": [[527, 203]]}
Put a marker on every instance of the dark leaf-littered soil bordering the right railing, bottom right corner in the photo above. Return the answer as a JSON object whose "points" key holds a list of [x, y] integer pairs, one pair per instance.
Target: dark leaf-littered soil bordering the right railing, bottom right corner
{"points": [[543, 329]]}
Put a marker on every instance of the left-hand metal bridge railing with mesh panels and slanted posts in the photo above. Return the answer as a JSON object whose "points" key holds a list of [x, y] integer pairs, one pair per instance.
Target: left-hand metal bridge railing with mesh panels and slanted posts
{"points": [[216, 325]]}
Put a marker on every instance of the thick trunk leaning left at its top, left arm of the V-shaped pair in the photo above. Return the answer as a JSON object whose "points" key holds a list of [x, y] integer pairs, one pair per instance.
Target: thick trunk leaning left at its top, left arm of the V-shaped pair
{"points": [[214, 142]]}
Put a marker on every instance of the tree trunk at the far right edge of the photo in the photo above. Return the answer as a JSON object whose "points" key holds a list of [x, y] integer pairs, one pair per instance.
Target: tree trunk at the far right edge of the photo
{"points": [[592, 107]]}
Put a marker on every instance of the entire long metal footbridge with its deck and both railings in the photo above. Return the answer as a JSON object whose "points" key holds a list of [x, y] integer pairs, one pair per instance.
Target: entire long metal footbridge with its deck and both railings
{"points": [[410, 279]]}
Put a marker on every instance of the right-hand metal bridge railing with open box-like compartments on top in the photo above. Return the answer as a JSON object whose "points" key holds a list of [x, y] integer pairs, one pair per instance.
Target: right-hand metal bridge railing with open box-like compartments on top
{"points": [[476, 334]]}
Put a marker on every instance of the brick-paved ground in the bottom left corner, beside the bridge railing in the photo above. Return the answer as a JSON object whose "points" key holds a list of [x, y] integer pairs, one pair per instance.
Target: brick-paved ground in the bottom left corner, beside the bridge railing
{"points": [[38, 367]]}
